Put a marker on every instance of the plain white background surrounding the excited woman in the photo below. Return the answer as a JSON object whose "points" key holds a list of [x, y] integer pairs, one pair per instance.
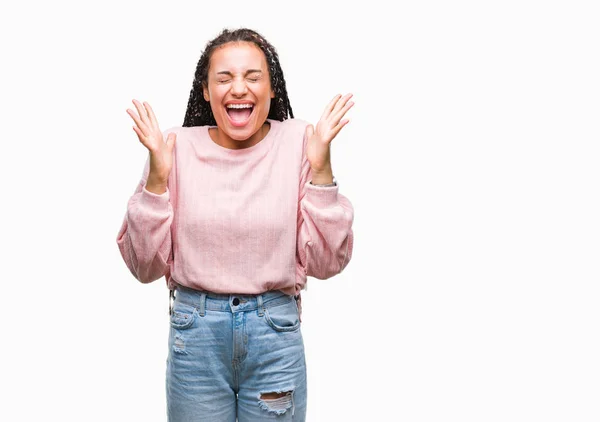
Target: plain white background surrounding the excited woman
{"points": [[471, 160]]}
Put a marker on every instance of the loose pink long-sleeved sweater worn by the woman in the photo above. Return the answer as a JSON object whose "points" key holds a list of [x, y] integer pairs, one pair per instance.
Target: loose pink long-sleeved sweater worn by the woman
{"points": [[238, 221]]}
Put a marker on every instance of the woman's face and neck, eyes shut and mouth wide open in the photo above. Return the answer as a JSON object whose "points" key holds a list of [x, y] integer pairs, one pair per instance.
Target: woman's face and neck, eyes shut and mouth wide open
{"points": [[239, 92]]}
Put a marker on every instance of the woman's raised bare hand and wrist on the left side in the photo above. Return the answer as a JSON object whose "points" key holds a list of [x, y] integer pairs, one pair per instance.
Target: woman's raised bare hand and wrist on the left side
{"points": [[161, 153]]}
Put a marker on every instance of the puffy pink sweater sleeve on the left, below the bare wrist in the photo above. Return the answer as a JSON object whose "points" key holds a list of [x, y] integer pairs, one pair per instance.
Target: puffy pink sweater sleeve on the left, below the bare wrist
{"points": [[144, 239]]}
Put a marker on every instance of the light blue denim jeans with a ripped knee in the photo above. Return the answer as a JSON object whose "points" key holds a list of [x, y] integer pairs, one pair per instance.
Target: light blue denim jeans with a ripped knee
{"points": [[235, 356]]}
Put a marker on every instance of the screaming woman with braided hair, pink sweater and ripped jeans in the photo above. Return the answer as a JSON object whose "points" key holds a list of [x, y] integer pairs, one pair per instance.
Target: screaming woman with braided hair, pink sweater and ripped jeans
{"points": [[236, 208]]}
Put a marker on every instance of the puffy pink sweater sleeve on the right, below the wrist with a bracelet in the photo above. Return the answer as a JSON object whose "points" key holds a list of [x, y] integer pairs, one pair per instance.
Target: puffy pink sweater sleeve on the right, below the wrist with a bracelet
{"points": [[325, 237]]}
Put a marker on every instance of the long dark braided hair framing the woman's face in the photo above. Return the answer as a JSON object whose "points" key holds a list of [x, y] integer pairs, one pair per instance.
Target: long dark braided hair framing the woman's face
{"points": [[198, 111]]}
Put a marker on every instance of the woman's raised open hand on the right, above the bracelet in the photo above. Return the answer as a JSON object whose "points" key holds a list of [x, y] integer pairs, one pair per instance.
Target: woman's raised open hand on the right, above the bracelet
{"points": [[319, 138]]}
